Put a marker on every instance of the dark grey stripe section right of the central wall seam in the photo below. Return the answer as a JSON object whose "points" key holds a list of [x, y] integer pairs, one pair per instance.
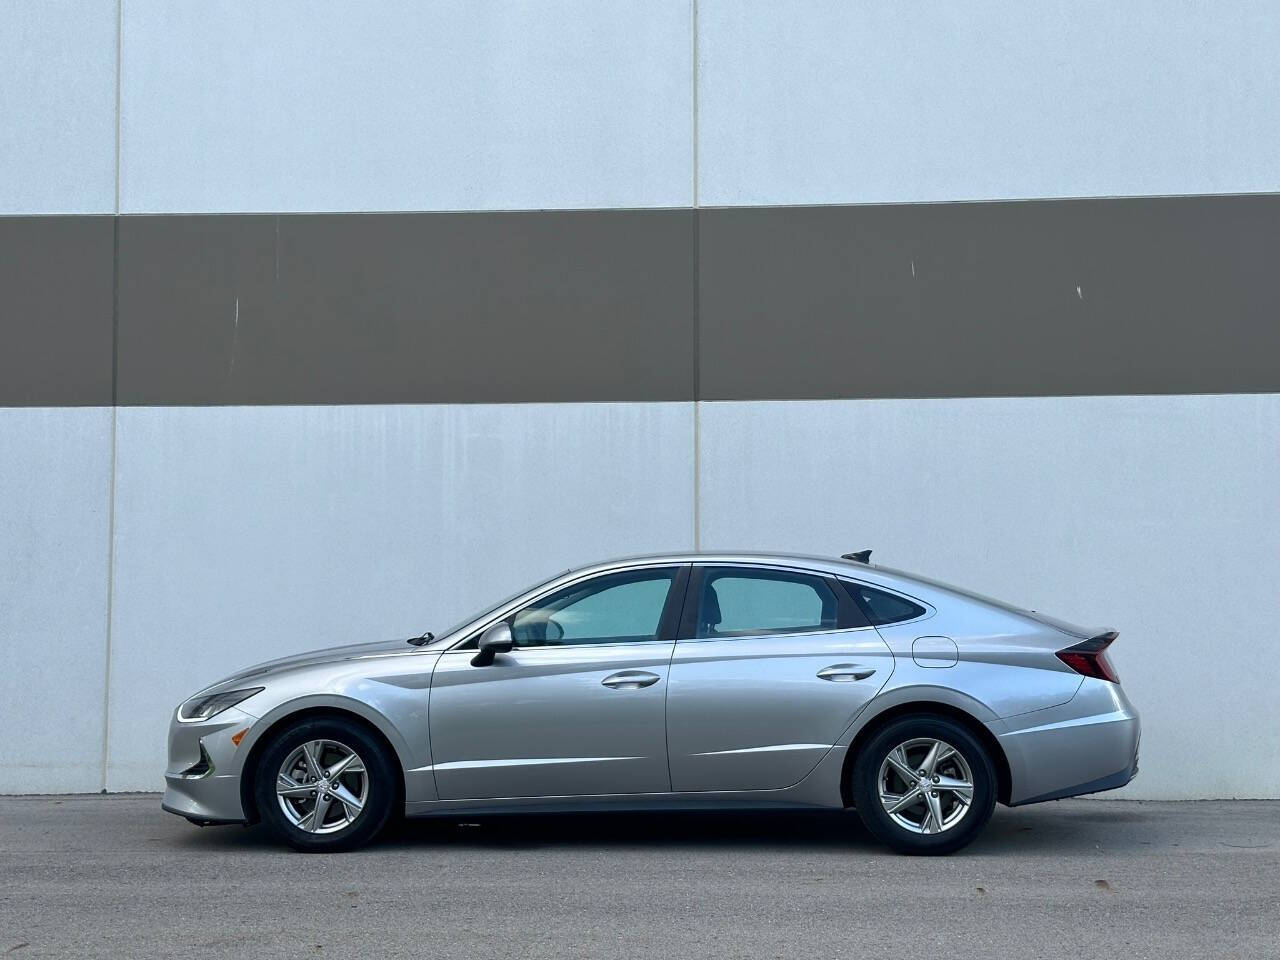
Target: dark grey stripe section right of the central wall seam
{"points": [[1164, 295]]}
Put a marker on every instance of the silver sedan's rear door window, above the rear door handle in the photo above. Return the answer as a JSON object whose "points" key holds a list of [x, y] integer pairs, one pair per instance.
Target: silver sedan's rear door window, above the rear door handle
{"points": [[755, 604]]}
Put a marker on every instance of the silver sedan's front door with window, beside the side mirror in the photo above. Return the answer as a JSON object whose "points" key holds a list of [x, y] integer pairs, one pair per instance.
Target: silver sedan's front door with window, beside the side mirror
{"points": [[577, 708]]}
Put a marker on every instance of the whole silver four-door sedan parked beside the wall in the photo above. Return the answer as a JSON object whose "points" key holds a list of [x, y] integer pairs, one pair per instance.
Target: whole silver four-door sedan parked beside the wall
{"points": [[688, 682]]}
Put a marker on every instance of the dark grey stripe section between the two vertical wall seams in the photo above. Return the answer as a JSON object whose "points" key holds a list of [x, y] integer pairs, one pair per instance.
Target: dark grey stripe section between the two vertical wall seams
{"points": [[408, 308]]}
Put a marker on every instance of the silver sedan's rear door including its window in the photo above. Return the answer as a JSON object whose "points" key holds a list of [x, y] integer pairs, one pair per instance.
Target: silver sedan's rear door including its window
{"points": [[771, 668]]}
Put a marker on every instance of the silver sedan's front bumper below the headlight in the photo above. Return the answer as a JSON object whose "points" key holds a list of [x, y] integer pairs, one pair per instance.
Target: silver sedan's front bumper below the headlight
{"points": [[203, 779]]}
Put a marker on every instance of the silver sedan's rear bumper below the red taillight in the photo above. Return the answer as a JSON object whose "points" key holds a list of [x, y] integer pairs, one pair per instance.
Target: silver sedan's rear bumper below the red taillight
{"points": [[1082, 747]]}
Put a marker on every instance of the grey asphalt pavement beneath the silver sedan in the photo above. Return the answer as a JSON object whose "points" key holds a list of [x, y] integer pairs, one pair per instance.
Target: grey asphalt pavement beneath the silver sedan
{"points": [[115, 876]]}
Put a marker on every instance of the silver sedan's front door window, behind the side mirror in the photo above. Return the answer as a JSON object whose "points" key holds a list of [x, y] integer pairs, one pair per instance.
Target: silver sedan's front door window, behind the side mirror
{"points": [[610, 610]]}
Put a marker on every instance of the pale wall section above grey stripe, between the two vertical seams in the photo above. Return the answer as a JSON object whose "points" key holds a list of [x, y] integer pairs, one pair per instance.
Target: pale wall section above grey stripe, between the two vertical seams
{"points": [[456, 106]]}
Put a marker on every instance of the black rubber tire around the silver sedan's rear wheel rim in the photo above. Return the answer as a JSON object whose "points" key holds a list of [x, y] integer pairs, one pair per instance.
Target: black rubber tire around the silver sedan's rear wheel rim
{"points": [[866, 788]]}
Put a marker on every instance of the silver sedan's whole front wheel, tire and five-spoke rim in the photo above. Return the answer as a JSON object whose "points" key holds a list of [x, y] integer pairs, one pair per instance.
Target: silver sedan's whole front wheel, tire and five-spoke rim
{"points": [[326, 785]]}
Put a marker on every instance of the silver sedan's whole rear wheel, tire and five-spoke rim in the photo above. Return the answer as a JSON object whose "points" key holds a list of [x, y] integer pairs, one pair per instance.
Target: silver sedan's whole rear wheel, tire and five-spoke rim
{"points": [[925, 785]]}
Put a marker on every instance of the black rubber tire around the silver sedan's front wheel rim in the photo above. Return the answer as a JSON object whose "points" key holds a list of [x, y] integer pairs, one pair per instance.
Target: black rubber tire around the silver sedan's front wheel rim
{"points": [[383, 785]]}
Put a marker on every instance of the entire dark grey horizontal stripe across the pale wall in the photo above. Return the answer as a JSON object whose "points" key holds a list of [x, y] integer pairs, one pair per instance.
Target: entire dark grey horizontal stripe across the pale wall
{"points": [[1165, 295]]}
